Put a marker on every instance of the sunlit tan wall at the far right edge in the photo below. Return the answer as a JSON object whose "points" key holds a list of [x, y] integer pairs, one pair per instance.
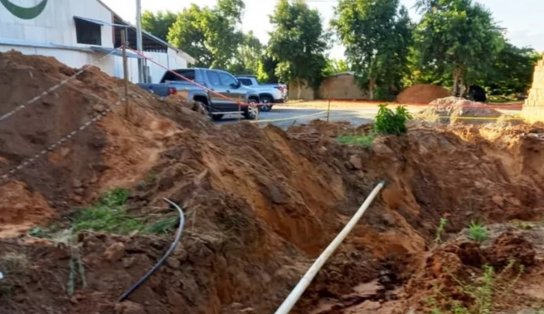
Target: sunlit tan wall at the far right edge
{"points": [[533, 109]]}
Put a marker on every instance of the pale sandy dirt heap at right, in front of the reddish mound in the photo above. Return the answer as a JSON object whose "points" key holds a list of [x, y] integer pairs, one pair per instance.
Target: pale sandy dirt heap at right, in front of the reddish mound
{"points": [[459, 110]]}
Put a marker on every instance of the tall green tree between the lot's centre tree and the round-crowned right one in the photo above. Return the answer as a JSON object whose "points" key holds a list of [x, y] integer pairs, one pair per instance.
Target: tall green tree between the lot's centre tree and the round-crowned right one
{"points": [[377, 35]]}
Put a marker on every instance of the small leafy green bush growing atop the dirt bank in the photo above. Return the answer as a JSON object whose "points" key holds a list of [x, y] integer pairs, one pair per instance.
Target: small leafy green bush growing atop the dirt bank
{"points": [[391, 122]]}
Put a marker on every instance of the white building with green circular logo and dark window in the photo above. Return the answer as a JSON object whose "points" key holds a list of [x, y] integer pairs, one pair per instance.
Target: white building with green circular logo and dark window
{"points": [[79, 32]]}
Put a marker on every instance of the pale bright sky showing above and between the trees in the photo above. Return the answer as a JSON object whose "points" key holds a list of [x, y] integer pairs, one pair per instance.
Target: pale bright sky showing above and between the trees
{"points": [[523, 19]]}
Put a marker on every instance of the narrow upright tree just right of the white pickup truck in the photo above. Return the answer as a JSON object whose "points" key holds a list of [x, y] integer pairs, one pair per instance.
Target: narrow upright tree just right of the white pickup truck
{"points": [[298, 43]]}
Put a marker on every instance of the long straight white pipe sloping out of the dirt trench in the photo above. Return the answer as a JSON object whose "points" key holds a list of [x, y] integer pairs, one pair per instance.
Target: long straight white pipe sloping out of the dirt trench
{"points": [[299, 289]]}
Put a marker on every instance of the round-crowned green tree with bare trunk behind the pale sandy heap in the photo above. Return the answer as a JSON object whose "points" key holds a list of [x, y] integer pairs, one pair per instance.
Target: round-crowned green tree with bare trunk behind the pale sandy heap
{"points": [[457, 38]]}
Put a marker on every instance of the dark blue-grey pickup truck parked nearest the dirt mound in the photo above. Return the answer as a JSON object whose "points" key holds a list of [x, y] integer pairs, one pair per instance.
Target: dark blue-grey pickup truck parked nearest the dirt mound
{"points": [[217, 91]]}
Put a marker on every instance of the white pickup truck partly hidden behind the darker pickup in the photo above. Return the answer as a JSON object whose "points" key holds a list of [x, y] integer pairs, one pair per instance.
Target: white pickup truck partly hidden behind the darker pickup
{"points": [[269, 94]]}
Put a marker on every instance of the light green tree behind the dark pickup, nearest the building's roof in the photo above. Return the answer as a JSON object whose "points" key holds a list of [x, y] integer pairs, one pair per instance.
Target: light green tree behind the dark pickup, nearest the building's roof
{"points": [[210, 35]]}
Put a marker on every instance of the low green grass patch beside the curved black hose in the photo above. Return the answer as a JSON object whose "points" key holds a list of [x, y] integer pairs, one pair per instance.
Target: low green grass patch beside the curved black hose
{"points": [[109, 214]]}
